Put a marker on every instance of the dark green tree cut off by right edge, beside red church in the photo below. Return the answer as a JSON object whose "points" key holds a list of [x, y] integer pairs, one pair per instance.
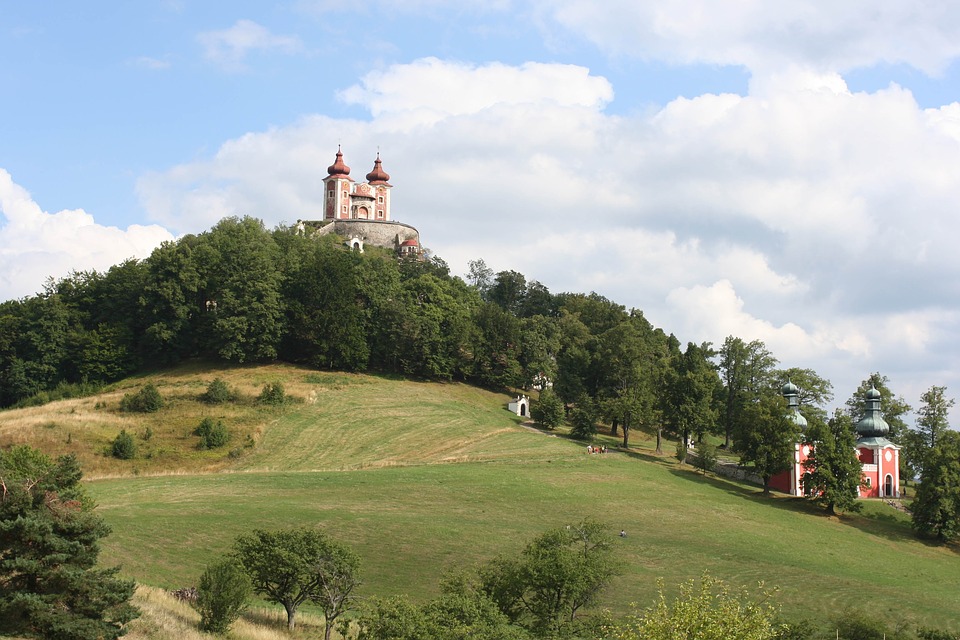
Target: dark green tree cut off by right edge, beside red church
{"points": [[936, 504]]}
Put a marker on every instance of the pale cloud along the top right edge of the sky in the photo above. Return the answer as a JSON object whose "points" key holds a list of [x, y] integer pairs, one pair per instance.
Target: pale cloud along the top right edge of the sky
{"points": [[764, 36]]}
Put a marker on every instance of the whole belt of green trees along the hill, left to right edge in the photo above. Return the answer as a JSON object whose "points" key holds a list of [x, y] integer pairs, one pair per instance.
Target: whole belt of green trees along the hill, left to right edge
{"points": [[242, 293]]}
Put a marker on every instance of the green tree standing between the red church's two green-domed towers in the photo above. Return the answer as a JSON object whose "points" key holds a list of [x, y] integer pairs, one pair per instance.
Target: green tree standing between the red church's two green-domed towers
{"points": [[833, 469]]}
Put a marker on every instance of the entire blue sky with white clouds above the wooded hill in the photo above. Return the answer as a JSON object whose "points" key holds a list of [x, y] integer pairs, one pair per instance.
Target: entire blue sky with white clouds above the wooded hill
{"points": [[783, 172]]}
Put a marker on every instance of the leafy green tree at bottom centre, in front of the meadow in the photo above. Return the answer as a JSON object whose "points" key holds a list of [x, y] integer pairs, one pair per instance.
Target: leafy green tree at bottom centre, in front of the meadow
{"points": [[560, 572]]}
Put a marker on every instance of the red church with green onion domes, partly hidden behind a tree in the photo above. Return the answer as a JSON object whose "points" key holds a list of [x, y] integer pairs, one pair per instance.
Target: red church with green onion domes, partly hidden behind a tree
{"points": [[879, 458]]}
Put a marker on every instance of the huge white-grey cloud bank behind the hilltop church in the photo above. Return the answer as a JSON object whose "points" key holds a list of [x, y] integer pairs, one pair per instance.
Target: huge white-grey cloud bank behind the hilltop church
{"points": [[806, 215]]}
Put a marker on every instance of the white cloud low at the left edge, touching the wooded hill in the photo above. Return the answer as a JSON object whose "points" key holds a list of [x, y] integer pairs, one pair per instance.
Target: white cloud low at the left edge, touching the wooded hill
{"points": [[36, 245]]}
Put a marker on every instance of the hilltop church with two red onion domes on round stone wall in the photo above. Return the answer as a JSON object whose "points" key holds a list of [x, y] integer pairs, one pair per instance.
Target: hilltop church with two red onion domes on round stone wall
{"points": [[360, 211]]}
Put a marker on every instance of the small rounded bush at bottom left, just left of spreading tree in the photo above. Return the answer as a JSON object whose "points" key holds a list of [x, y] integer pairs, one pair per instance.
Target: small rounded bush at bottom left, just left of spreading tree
{"points": [[222, 595]]}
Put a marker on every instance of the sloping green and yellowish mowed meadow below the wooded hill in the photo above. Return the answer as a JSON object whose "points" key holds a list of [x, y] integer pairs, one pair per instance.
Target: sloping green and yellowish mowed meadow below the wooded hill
{"points": [[423, 478]]}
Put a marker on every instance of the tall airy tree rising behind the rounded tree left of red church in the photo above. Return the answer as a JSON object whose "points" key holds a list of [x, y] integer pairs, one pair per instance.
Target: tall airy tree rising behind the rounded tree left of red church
{"points": [[746, 369]]}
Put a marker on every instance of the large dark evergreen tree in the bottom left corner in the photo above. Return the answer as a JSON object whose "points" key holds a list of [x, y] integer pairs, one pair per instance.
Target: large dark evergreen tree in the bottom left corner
{"points": [[50, 586]]}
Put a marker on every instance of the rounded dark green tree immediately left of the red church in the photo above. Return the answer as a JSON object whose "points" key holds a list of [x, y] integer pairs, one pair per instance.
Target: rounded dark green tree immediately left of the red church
{"points": [[766, 436]]}
